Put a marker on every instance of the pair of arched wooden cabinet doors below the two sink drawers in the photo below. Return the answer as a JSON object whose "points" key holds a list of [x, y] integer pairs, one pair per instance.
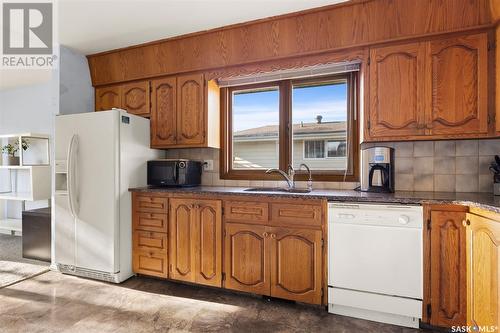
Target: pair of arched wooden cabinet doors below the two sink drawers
{"points": [[275, 261]]}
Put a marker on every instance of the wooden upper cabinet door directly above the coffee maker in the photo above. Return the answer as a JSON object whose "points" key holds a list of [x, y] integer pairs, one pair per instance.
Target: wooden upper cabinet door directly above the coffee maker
{"points": [[396, 91]]}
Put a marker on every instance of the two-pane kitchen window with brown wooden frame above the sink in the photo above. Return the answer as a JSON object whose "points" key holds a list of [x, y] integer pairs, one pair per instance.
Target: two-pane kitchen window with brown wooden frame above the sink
{"points": [[274, 124]]}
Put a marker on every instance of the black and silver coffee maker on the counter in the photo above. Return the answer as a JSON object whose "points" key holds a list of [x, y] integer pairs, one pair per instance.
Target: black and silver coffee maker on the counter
{"points": [[377, 169]]}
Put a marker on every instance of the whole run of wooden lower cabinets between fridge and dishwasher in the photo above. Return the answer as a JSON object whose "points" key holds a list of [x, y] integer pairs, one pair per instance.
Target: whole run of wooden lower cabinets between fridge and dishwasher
{"points": [[183, 239]]}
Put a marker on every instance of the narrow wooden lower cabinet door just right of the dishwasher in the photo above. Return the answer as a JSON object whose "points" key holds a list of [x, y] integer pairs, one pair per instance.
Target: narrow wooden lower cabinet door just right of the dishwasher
{"points": [[447, 269]]}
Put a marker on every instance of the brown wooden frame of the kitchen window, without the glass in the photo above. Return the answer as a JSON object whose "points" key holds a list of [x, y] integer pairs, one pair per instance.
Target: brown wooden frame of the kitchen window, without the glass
{"points": [[285, 135]]}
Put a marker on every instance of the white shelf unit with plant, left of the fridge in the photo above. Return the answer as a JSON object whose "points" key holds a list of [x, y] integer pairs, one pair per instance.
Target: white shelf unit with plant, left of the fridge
{"points": [[30, 180]]}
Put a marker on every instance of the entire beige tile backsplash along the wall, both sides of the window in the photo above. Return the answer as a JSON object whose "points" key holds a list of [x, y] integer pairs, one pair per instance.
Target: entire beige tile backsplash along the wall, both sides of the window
{"points": [[441, 166]]}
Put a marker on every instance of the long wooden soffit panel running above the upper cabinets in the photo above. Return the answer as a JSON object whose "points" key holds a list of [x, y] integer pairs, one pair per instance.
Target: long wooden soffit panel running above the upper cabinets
{"points": [[297, 34]]}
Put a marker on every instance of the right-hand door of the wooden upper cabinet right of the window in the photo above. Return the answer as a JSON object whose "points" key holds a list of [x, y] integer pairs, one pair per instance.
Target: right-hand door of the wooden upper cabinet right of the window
{"points": [[459, 86]]}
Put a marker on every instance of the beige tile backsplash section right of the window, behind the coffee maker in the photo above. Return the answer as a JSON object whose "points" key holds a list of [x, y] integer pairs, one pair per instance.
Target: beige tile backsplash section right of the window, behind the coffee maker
{"points": [[443, 166]]}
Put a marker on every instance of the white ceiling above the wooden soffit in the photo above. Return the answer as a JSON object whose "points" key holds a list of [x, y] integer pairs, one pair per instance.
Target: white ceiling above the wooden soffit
{"points": [[96, 26]]}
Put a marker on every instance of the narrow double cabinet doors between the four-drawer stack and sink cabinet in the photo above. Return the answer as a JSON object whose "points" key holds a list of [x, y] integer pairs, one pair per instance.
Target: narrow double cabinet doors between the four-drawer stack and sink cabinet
{"points": [[196, 241]]}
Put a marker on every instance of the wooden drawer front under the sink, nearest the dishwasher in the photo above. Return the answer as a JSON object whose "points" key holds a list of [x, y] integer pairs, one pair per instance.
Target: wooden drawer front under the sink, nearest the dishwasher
{"points": [[295, 214]]}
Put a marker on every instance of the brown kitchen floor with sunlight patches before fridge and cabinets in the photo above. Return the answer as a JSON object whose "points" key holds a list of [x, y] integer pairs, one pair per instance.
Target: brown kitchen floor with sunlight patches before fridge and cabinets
{"points": [[53, 302]]}
